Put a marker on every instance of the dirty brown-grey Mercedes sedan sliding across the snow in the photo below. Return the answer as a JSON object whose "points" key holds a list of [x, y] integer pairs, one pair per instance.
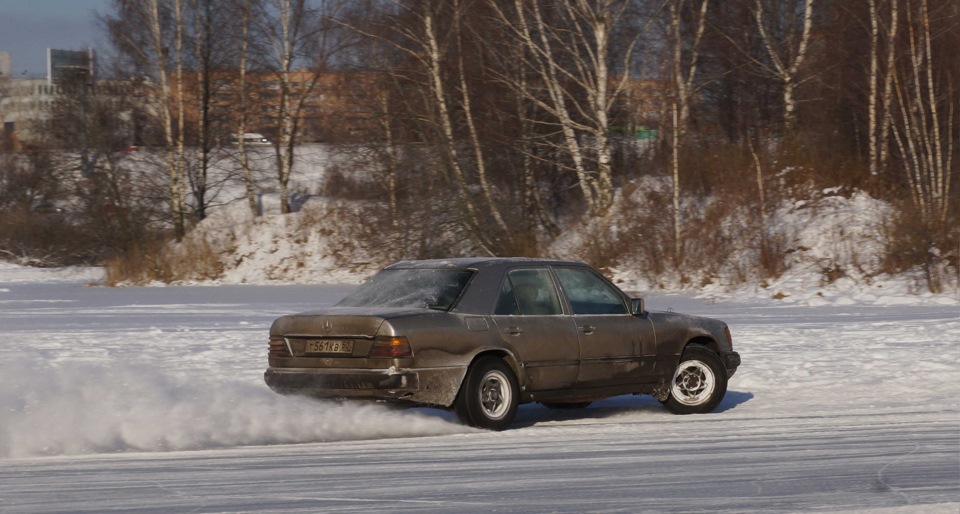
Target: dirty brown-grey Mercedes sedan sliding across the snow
{"points": [[484, 335]]}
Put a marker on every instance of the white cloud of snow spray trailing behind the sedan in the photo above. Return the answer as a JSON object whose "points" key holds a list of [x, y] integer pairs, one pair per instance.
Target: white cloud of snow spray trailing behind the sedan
{"points": [[95, 407]]}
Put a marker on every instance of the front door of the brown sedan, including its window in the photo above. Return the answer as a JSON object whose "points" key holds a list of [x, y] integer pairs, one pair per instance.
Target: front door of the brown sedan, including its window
{"points": [[616, 347]]}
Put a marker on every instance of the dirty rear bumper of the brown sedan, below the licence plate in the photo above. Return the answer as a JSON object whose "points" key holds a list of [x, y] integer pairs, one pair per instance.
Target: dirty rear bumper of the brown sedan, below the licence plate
{"points": [[432, 386]]}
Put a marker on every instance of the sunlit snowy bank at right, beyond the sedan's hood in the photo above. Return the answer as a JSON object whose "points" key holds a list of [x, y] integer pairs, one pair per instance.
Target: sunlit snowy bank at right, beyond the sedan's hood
{"points": [[835, 253]]}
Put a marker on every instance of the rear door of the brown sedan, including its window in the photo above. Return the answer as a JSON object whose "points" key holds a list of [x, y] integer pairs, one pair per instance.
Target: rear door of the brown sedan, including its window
{"points": [[529, 316]]}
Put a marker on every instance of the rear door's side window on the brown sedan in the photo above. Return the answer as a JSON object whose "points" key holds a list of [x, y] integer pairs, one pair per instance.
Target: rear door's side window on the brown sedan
{"points": [[528, 292]]}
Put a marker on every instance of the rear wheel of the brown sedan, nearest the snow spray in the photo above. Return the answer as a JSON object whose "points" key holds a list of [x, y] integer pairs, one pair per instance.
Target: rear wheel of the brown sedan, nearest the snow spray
{"points": [[489, 395]]}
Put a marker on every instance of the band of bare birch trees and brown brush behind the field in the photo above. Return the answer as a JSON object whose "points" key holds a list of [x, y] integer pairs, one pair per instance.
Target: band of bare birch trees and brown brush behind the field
{"points": [[669, 131]]}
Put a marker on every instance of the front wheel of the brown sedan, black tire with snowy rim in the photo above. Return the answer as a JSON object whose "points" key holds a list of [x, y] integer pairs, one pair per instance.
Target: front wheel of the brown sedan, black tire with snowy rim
{"points": [[698, 384]]}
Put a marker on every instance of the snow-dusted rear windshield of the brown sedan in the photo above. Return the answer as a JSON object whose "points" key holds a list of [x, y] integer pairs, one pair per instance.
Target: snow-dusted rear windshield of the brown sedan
{"points": [[424, 288]]}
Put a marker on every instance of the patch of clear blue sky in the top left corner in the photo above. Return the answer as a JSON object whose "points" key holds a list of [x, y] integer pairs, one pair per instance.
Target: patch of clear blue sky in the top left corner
{"points": [[29, 27]]}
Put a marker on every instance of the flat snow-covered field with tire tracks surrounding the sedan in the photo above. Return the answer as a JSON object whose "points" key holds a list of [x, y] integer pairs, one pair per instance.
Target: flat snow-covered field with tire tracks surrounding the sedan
{"points": [[151, 400]]}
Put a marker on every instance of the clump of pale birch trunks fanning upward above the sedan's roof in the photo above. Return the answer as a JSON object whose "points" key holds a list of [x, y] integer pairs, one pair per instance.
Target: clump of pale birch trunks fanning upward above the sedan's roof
{"points": [[569, 54]]}
